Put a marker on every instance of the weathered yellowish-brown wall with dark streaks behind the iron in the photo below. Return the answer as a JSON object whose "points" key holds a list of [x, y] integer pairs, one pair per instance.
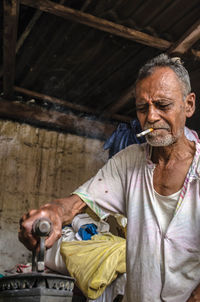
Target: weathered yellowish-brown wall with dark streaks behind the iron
{"points": [[37, 166]]}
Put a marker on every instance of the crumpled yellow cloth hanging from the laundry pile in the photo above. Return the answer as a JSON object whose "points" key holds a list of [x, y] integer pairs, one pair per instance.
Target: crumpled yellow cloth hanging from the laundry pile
{"points": [[95, 263]]}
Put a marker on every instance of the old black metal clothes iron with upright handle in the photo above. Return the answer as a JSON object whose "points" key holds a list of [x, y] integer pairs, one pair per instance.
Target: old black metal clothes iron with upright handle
{"points": [[37, 286]]}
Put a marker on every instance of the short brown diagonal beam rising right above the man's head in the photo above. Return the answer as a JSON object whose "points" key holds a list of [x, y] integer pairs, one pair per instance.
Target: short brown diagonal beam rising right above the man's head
{"points": [[187, 40]]}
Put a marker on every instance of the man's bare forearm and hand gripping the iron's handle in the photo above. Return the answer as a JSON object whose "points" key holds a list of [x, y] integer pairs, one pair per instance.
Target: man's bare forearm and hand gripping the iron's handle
{"points": [[60, 211]]}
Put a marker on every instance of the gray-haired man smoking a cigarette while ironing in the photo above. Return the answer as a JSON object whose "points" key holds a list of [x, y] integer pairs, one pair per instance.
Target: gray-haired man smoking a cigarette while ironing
{"points": [[155, 185]]}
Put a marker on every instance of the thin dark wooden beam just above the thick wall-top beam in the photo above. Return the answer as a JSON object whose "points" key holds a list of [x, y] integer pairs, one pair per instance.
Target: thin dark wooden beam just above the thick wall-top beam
{"points": [[69, 105]]}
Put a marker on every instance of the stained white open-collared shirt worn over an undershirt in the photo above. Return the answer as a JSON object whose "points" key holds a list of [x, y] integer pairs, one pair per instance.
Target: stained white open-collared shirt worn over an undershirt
{"points": [[125, 185]]}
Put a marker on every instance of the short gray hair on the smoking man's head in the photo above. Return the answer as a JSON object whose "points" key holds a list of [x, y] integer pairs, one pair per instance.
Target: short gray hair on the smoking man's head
{"points": [[163, 60]]}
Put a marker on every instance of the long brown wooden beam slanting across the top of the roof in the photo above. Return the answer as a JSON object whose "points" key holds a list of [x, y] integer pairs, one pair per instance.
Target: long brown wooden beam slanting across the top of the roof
{"points": [[98, 23]]}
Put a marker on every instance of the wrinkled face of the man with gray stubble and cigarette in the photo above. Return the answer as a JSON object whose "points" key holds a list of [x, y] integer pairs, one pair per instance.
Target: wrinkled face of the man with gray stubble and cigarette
{"points": [[160, 105]]}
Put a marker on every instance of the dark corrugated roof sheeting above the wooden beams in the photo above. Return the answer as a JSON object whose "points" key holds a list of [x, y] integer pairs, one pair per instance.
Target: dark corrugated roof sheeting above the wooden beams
{"points": [[94, 68]]}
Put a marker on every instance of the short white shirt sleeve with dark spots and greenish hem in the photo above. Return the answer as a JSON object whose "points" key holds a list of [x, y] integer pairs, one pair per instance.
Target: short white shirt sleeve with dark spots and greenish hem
{"points": [[104, 193]]}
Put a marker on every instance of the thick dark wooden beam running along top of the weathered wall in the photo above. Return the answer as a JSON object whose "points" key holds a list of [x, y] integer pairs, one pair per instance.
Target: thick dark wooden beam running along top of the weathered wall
{"points": [[40, 117]]}
